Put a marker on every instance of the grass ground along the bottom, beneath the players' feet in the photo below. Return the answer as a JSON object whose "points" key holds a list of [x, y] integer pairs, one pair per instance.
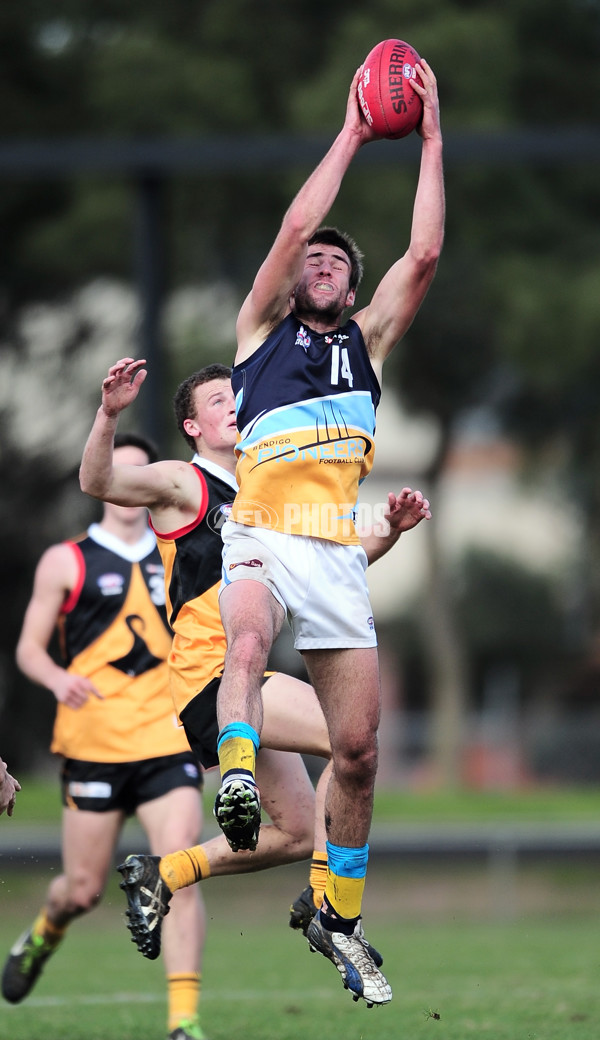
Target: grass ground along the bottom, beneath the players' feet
{"points": [[534, 978]]}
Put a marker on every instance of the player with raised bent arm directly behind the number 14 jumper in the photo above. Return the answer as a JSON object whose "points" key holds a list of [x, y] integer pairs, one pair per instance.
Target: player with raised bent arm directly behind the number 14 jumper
{"points": [[189, 504]]}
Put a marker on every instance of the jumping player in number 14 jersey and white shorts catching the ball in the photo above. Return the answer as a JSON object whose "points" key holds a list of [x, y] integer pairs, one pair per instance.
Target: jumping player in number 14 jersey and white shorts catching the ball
{"points": [[307, 388]]}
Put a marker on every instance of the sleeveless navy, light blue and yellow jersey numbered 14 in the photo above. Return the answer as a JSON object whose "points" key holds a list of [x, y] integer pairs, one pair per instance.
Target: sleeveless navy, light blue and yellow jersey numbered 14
{"points": [[306, 413]]}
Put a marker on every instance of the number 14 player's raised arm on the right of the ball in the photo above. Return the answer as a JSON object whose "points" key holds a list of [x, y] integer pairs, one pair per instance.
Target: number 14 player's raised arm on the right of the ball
{"points": [[403, 290]]}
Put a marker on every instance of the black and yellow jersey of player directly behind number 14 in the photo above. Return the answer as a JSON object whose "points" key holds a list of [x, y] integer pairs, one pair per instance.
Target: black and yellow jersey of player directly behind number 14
{"points": [[193, 563]]}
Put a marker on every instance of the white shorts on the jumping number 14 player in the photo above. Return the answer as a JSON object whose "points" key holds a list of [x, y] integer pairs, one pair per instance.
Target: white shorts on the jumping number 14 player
{"points": [[321, 585]]}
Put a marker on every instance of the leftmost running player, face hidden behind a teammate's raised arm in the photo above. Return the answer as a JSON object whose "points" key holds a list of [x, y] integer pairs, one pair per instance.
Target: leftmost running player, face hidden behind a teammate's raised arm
{"points": [[123, 752]]}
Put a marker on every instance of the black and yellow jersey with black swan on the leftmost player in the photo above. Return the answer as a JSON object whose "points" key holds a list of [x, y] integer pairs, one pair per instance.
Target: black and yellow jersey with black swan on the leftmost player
{"points": [[114, 631]]}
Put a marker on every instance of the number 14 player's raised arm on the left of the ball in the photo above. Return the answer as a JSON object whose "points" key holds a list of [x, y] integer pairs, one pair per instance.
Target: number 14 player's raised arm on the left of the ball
{"points": [[269, 300]]}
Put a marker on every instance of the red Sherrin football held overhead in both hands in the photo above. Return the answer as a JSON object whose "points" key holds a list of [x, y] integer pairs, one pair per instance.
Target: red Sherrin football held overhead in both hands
{"points": [[387, 99]]}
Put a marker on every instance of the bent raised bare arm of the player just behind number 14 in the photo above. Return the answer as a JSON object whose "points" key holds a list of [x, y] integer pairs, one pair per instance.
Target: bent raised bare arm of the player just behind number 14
{"points": [[169, 489]]}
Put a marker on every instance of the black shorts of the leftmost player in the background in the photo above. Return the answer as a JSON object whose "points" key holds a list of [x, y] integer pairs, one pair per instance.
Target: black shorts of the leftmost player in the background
{"points": [[105, 787]]}
